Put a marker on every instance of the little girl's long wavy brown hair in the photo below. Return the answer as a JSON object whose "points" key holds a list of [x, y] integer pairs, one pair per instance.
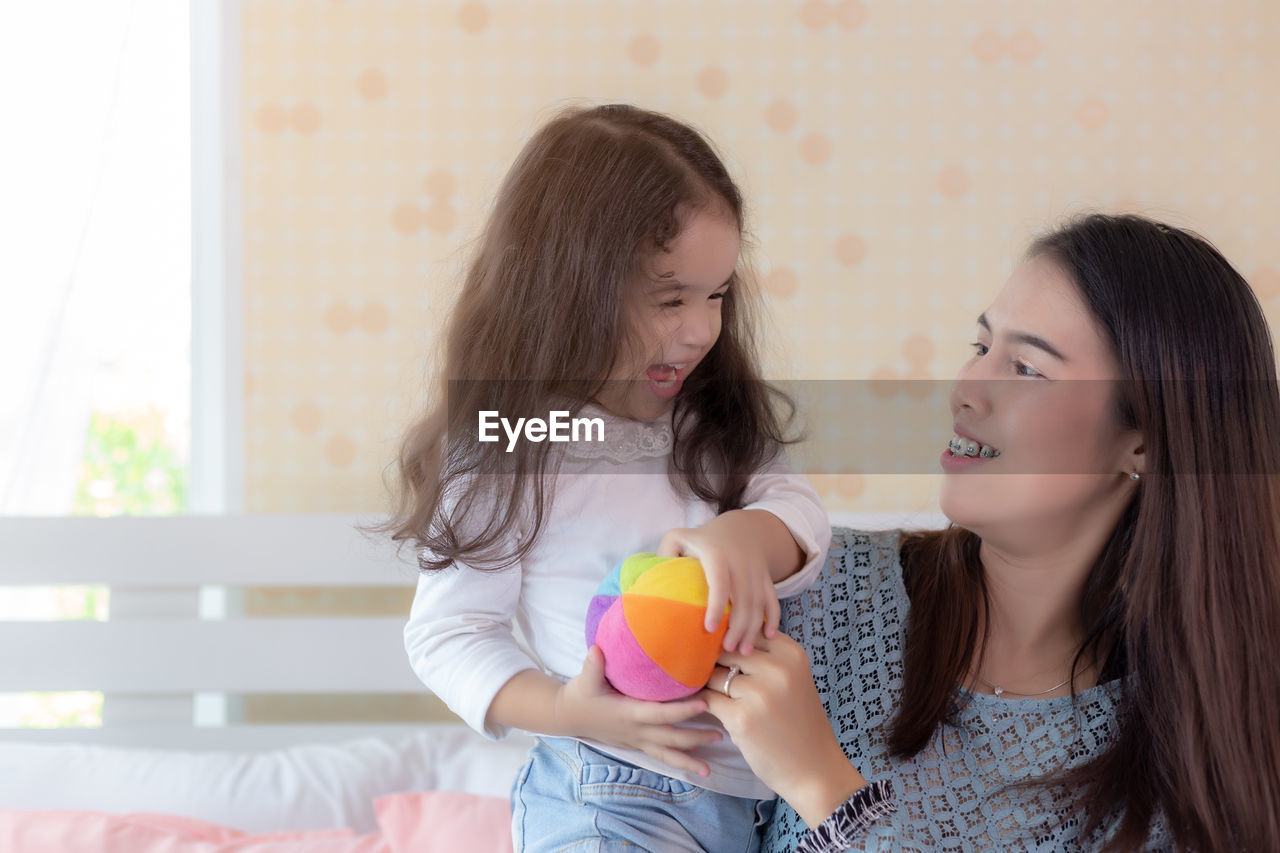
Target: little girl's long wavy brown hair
{"points": [[542, 317]]}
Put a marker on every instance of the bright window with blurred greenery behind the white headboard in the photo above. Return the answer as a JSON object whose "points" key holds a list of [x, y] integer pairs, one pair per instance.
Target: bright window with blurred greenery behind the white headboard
{"points": [[97, 404]]}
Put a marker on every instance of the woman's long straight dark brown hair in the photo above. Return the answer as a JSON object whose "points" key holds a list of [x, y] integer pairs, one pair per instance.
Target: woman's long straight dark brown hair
{"points": [[1185, 601]]}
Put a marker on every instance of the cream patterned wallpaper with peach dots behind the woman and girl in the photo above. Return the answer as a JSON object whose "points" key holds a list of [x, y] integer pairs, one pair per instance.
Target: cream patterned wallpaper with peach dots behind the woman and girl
{"points": [[897, 157]]}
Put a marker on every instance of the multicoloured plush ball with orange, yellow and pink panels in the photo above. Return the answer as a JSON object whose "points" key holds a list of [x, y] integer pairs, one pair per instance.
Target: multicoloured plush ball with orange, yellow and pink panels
{"points": [[648, 618]]}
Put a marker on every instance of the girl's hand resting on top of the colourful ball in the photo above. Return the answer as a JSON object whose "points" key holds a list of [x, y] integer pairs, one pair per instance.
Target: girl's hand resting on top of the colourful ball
{"points": [[743, 554]]}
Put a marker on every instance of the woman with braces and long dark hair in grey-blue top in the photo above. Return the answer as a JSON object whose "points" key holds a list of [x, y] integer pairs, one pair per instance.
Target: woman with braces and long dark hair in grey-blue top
{"points": [[1090, 656]]}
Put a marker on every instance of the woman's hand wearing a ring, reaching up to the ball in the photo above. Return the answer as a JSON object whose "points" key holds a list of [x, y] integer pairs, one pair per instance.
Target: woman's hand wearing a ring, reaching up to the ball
{"points": [[775, 717]]}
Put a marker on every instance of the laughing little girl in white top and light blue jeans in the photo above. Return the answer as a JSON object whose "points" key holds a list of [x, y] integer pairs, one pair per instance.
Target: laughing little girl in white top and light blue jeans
{"points": [[604, 294]]}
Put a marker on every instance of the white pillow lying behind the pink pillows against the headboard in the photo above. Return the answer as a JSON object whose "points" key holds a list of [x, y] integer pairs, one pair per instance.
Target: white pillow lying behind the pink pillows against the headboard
{"points": [[321, 786]]}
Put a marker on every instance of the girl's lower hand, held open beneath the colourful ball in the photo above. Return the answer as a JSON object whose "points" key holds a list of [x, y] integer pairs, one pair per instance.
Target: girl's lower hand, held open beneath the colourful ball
{"points": [[588, 708]]}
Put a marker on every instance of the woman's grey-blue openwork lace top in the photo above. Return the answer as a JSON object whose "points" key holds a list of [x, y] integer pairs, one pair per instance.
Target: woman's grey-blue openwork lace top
{"points": [[957, 795]]}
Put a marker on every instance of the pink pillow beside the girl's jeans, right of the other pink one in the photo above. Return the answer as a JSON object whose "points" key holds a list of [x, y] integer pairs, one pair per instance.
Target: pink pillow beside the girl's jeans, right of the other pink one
{"points": [[445, 822]]}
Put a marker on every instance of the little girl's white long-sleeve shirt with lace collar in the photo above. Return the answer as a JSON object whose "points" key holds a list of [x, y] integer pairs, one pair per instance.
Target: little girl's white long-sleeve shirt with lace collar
{"points": [[611, 500]]}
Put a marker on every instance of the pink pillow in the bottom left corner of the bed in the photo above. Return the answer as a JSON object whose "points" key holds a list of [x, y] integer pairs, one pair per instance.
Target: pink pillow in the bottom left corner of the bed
{"points": [[100, 833]]}
